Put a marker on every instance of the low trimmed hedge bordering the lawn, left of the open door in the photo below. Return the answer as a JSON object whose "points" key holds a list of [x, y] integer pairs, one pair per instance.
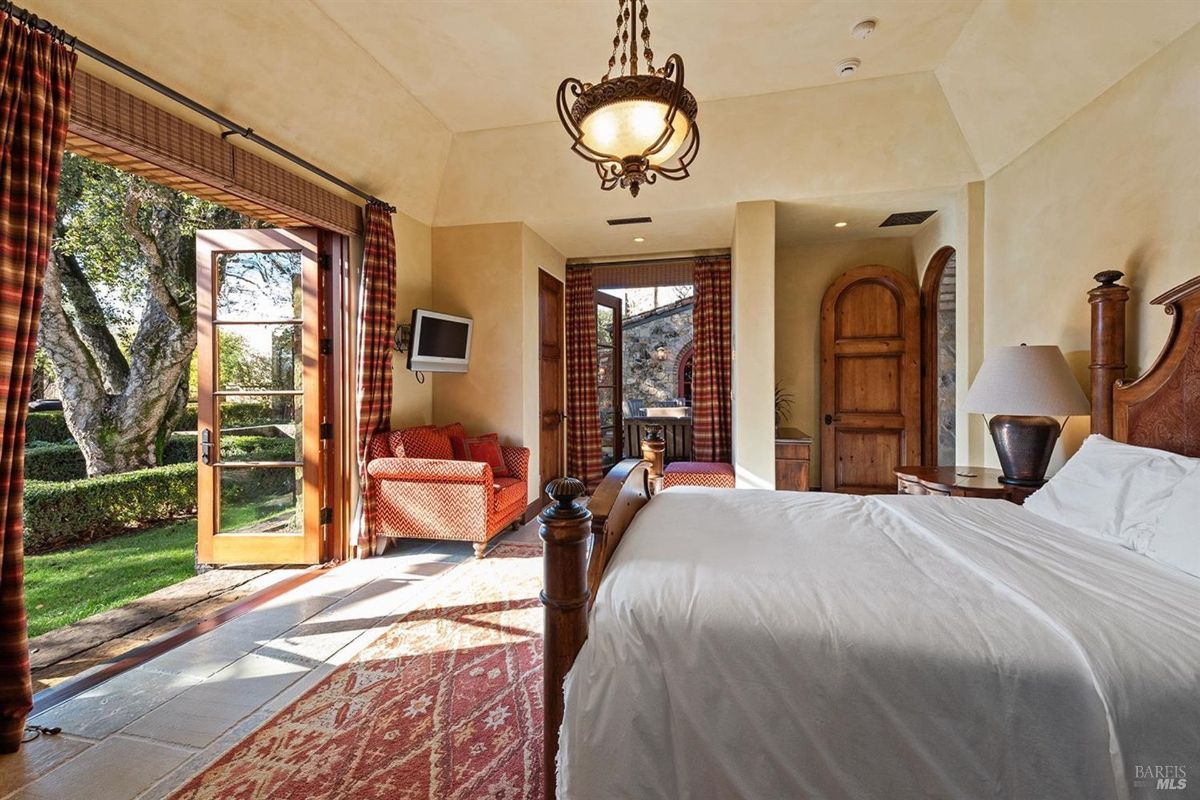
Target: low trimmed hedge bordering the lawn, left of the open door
{"points": [[59, 515]]}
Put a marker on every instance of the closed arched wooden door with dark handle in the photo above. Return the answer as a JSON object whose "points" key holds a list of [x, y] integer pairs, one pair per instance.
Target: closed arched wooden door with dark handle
{"points": [[871, 380]]}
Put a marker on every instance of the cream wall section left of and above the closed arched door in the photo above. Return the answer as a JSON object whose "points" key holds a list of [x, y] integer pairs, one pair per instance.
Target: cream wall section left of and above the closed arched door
{"points": [[803, 273]]}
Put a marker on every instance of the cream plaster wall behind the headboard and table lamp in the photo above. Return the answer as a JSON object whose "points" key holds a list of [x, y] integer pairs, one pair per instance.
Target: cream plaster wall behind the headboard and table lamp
{"points": [[1118, 187]]}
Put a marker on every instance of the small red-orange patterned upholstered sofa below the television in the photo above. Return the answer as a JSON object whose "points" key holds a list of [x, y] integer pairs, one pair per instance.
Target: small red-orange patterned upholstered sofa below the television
{"points": [[423, 489]]}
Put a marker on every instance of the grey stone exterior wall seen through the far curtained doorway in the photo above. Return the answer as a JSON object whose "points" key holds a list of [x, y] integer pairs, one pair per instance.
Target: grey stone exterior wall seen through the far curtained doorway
{"points": [[647, 378]]}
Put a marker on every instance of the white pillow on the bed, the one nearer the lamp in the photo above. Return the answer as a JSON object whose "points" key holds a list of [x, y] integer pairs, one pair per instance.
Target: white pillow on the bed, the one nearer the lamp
{"points": [[1113, 491]]}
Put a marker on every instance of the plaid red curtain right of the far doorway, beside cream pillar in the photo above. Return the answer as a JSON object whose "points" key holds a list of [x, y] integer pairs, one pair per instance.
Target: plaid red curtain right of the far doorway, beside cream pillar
{"points": [[712, 371]]}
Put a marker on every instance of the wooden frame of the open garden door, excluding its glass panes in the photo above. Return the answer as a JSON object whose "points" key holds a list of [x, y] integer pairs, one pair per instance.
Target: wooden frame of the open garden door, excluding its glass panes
{"points": [[249, 549]]}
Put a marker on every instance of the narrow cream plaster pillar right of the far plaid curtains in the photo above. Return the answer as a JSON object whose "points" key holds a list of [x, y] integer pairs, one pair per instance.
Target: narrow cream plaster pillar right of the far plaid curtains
{"points": [[754, 345]]}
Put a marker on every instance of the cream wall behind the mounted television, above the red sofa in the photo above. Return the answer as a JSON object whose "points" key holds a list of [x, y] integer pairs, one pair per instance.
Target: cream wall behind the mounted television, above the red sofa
{"points": [[490, 274]]}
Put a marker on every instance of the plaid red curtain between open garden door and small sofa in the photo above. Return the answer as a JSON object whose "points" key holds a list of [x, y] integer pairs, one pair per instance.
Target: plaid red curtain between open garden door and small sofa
{"points": [[377, 311]]}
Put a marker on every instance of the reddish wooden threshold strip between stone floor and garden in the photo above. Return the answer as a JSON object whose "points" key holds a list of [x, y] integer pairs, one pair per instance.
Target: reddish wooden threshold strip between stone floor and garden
{"points": [[58, 695]]}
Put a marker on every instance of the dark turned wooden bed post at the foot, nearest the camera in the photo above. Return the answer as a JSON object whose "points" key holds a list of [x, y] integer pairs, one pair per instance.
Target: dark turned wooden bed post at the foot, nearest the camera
{"points": [[566, 533]]}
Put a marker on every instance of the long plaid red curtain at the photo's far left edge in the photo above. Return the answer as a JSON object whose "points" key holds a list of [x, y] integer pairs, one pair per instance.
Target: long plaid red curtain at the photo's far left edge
{"points": [[35, 99]]}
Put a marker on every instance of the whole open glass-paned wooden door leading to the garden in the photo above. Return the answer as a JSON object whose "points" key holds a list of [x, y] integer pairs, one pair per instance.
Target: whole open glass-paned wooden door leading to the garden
{"points": [[261, 398]]}
